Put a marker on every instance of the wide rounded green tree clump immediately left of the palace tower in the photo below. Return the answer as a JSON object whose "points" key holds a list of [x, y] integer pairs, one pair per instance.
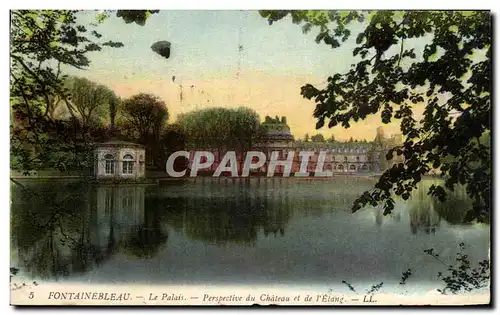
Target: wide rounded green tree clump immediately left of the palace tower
{"points": [[221, 127]]}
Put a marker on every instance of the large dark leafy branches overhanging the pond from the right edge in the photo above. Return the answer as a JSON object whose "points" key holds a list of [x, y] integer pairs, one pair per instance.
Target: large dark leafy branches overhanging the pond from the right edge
{"points": [[450, 77]]}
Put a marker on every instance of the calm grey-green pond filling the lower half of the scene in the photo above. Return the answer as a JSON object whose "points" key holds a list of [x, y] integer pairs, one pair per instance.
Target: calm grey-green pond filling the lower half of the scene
{"points": [[224, 231]]}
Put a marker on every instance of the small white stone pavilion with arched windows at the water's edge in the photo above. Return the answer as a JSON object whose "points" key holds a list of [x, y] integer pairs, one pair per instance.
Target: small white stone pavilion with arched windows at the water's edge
{"points": [[119, 160]]}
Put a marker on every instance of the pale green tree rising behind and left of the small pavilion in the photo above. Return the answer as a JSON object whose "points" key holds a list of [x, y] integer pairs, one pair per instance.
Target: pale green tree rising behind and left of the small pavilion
{"points": [[90, 99]]}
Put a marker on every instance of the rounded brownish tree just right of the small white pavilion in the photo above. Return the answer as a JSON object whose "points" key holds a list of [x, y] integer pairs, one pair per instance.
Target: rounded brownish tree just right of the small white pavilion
{"points": [[146, 115]]}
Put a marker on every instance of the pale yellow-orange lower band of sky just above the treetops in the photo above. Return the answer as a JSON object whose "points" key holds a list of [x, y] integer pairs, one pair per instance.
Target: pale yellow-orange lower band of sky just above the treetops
{"points": [[267, 94]]}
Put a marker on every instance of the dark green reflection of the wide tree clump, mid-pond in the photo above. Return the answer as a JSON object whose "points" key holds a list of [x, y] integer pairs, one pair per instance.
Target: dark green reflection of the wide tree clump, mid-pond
{"points": [[229, 211]]}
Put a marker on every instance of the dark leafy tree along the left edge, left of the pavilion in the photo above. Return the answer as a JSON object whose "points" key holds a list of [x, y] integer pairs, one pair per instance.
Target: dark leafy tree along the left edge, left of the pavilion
{"points": [[41, 42]]}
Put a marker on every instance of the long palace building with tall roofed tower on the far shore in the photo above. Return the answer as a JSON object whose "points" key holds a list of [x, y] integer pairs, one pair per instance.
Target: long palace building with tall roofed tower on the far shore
{"points": [[339, 157]]}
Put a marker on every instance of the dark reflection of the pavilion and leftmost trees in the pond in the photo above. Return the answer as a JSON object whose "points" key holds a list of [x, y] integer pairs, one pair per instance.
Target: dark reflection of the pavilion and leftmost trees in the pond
{"points": [[58, 236]]}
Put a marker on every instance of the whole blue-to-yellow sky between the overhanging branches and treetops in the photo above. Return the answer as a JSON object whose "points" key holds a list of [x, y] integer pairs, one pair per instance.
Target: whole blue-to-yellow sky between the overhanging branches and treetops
{"points": [[211, 71]]}
